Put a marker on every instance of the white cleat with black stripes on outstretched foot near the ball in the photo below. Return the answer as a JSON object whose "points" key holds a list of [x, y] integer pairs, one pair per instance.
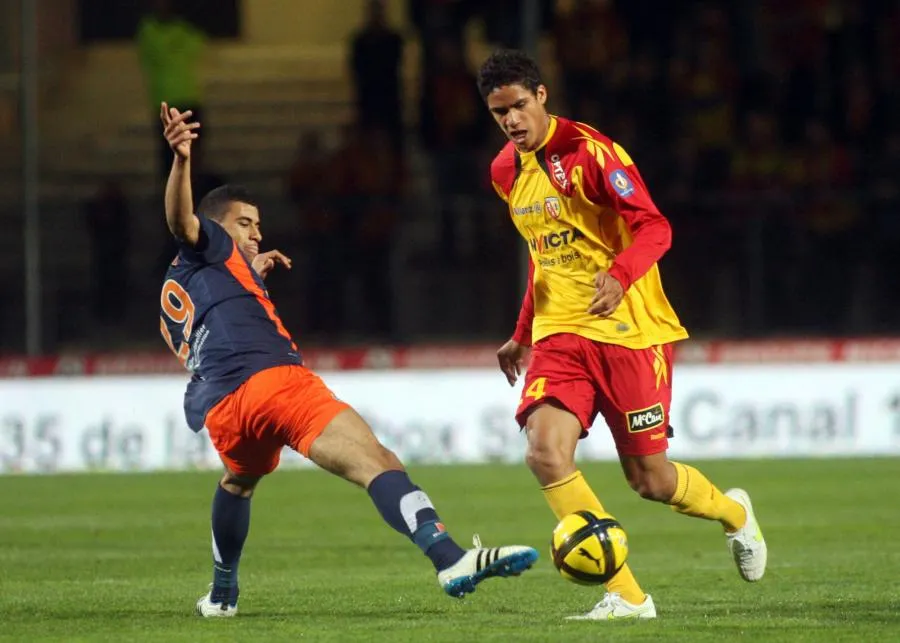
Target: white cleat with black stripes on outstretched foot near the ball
{"points": [[485, 562]]}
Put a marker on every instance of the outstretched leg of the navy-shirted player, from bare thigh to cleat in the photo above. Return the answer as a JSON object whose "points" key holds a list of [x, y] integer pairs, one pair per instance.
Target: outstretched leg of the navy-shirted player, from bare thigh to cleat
{"points": [[348, 448]]}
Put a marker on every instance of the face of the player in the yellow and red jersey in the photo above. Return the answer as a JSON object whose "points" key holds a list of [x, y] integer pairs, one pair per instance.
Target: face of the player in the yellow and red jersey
{"points": [[521, 114]]}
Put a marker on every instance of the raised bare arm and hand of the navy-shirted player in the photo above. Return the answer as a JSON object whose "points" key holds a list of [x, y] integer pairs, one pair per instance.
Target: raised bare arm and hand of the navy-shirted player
{"points": [[179, 201]]}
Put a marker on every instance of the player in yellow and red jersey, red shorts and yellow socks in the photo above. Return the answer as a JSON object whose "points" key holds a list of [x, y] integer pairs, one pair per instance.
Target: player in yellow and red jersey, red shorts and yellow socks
{"points": [[597, 320]]}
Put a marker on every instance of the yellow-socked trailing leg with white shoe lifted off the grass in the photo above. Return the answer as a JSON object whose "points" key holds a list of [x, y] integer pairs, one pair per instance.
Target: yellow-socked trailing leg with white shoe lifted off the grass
{"points": [[689, 492]]}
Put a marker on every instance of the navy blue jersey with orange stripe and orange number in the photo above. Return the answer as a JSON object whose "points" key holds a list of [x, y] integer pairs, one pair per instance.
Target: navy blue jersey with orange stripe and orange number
{"points": [[216, 316]]}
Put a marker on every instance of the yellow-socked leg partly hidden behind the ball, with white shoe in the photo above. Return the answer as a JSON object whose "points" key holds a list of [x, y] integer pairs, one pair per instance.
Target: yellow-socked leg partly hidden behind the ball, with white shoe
{"points": [[553, 434]]}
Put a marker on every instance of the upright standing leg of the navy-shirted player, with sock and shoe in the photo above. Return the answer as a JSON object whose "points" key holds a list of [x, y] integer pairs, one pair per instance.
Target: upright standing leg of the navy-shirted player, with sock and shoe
{"points": [[230, 525]]}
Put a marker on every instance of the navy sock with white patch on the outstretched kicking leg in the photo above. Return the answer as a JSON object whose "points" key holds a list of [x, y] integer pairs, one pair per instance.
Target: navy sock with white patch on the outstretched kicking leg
{"points": [[408, 510]]}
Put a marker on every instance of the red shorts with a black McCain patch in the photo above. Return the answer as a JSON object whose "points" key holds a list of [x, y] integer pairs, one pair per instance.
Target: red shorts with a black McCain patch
{"points": [[632, 388]]}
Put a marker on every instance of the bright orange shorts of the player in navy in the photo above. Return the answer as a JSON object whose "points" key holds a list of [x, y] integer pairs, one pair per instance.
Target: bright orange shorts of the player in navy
{"points": [[280, 406]]}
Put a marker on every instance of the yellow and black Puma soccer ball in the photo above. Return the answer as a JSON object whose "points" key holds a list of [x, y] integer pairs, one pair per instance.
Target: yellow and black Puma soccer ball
{"points": [[588, 547]]}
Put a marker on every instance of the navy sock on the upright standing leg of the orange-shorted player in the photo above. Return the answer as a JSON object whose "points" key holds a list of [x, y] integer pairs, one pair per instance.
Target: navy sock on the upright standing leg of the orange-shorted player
{"points": [[230, 524]]}
